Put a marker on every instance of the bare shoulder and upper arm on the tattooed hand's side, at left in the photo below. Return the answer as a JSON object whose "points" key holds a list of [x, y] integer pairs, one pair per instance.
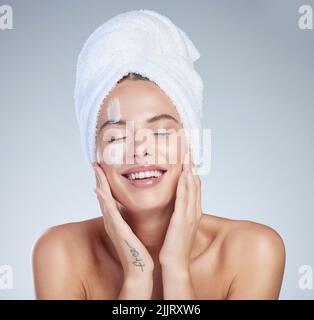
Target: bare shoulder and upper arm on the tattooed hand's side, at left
{"points": [[59, 257]]}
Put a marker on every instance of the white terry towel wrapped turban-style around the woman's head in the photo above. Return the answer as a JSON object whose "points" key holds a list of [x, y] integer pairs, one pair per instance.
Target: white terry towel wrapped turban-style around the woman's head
{"points": [[145, 42]]}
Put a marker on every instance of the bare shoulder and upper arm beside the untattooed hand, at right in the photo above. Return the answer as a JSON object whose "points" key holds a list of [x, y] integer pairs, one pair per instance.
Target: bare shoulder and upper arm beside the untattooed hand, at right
{"points": [[254, 256]]}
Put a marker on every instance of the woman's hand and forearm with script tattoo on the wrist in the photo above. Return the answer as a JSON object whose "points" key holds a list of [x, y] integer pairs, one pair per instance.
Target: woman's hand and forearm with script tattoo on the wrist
{"points": [[136, 261]]}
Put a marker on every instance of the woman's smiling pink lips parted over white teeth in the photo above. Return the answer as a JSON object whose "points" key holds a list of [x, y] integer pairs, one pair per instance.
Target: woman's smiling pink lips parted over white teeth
{"points": [[144, 176]]}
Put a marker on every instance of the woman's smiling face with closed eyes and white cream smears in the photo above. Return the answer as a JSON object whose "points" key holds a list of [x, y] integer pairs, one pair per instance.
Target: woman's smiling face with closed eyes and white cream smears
{"points": [[139, 130]]}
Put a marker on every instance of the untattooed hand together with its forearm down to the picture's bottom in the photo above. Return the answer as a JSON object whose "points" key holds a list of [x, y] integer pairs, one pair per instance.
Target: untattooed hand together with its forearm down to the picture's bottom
{"points": [[175, 253]]}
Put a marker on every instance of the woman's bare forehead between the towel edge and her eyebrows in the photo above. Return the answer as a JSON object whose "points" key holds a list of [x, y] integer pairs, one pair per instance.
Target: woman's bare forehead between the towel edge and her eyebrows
{"points": [[139, 100]]}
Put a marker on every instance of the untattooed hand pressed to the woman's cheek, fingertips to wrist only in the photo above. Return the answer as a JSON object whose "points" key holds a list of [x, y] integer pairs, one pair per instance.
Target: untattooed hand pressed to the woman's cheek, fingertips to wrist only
{"points": [[175, 252]]}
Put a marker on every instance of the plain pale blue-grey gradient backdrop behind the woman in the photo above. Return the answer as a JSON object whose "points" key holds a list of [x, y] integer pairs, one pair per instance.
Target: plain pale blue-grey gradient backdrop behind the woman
{"points": [[258, 73]]}
